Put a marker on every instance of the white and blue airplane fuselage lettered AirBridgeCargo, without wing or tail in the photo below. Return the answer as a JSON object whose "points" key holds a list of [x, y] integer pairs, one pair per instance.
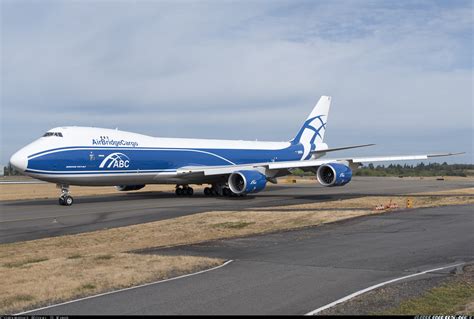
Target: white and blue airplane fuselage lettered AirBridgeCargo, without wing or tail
{"points": [[96, 156]]}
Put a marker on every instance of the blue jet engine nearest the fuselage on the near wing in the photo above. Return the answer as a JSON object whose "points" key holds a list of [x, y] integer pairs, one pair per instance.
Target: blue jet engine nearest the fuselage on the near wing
{"points": [[246, 182]]}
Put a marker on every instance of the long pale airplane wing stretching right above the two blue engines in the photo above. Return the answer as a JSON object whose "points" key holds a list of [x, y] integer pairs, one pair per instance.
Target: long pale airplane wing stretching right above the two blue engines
{"points": [[285, 165]]}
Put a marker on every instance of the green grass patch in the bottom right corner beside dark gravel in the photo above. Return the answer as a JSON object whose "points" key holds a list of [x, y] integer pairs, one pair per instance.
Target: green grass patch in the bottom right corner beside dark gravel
{"points": [[444, 300]]}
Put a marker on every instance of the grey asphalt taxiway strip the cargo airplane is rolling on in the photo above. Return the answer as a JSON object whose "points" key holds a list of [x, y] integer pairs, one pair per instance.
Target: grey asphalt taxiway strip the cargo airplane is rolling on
{"points": [[33, 219]]}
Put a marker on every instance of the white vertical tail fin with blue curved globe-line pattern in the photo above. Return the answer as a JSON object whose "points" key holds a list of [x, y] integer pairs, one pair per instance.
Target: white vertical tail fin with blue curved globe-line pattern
{"points": [[313, 129]]}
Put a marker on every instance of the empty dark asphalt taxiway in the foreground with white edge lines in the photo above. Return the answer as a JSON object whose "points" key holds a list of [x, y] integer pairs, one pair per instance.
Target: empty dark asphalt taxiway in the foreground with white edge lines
{"points": [[296, 272]]}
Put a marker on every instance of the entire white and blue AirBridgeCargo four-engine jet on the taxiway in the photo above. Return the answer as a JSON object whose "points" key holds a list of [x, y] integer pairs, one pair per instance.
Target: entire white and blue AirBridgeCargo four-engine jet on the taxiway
{"points": [[104, 157]]}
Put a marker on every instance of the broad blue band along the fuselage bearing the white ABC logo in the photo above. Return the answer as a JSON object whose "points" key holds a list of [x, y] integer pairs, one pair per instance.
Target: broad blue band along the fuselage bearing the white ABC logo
{"points": [[81, 159]]}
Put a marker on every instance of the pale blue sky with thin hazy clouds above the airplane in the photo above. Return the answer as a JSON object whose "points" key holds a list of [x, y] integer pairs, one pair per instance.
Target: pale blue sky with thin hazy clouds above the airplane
{"points": [[400, 72]]}
